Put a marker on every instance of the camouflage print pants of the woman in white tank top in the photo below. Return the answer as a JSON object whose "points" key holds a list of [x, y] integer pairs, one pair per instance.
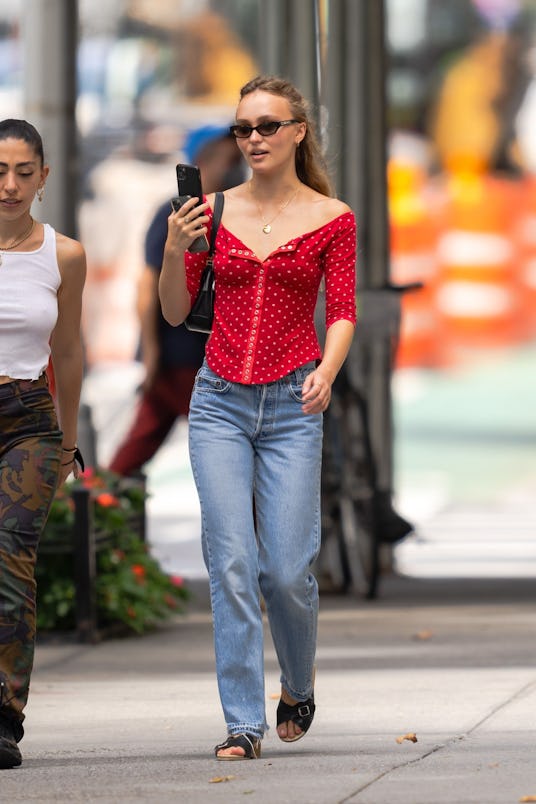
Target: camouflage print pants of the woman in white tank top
{"points": [[30, 455]]}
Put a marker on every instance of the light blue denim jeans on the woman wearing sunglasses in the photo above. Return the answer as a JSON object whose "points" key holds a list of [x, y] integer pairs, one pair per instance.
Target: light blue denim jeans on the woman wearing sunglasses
{"points": [[252, 442]]}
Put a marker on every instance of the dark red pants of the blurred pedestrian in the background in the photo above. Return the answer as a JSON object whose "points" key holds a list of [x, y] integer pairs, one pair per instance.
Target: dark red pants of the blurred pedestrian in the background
{"points": [[159, 407]]}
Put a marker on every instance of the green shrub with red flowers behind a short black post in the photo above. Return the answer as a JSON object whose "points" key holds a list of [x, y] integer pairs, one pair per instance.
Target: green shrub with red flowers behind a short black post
{"points": [[131, 587]]}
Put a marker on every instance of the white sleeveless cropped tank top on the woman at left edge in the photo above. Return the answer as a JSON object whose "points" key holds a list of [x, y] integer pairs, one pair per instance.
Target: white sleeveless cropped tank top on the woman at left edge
{"points": [[29, 282]]}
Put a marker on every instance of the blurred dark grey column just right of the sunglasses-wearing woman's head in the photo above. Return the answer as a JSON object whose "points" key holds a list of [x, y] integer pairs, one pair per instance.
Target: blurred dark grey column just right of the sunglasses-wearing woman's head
{"points": [[355, 96]]}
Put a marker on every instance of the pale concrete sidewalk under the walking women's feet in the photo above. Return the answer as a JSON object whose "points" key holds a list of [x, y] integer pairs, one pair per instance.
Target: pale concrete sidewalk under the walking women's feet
{"points": [[135, 720]]}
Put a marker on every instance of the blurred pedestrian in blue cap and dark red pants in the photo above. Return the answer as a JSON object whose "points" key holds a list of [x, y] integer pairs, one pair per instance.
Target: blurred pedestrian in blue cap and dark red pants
{"points": [[171, 355]]}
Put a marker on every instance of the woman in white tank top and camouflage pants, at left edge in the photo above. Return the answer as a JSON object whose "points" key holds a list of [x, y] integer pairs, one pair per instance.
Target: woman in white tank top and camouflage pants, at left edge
{"points": [[41, 278]]}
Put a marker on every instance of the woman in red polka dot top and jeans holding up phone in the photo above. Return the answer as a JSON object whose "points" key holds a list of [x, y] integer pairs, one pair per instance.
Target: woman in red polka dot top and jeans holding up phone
{"points": [[256, 409]]}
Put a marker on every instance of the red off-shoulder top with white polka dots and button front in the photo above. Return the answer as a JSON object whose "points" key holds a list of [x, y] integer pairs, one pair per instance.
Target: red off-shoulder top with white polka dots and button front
{"points": [[264, 310]]}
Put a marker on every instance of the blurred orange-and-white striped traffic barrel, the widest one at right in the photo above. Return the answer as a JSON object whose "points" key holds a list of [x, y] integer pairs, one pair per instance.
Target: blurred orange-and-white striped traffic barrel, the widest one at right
{"points": [[478, 298]]}
